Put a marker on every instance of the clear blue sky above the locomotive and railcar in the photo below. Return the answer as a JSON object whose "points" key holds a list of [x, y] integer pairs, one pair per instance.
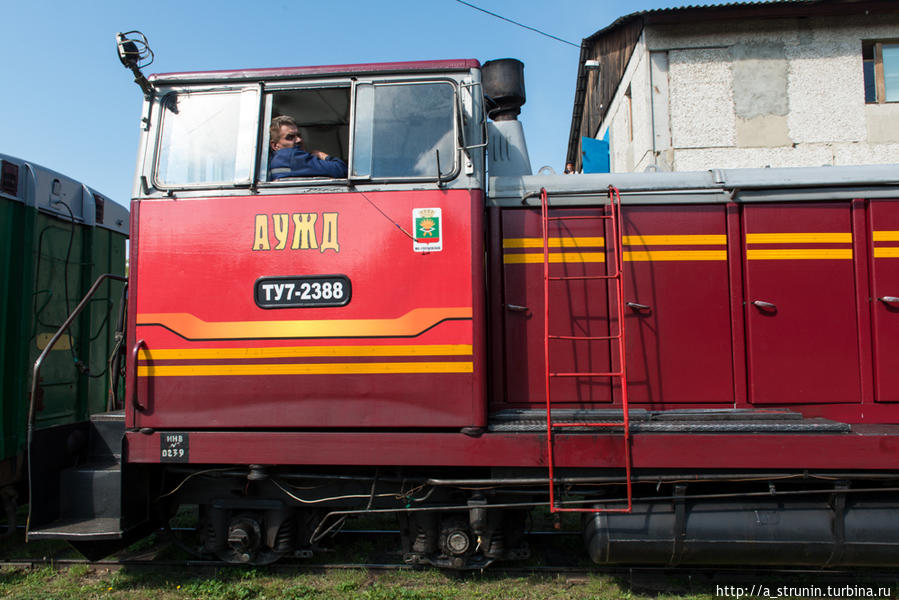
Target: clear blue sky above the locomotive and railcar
{"points": [[68, 104]]}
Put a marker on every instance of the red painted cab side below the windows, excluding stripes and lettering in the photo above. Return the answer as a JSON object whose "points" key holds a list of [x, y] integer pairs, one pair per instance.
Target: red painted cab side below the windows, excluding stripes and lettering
{"points": [[196, 256]]}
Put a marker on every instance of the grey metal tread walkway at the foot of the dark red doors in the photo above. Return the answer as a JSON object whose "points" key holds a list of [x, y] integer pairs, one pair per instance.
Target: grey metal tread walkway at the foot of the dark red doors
{"points": [[670, 421]]}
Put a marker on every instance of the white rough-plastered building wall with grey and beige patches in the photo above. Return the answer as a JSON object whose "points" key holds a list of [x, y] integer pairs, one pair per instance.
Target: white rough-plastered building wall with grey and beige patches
{"points": [[779, 93]]}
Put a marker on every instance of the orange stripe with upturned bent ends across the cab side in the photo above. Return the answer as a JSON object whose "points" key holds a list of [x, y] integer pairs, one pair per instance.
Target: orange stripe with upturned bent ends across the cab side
{"points": [[412, 323]]}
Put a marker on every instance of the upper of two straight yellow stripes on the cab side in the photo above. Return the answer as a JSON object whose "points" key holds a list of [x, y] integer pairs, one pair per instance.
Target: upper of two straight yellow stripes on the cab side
{"points": [[304, 351]]}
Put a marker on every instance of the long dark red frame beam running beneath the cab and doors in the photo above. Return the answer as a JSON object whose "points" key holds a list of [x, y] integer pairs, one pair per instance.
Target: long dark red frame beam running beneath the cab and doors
{"points": [[874, 450]]}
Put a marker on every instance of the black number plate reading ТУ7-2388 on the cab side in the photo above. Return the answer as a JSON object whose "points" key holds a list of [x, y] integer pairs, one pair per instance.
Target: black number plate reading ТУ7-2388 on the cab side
{"points": [[303, 291]]}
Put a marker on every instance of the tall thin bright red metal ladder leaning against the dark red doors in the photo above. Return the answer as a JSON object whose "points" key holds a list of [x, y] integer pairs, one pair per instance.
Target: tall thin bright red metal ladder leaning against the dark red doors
{"points": [[612, 213]]}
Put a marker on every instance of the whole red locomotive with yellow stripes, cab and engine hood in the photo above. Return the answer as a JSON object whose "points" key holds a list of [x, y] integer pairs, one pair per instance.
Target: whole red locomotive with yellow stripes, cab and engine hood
{"points": [[699, 362]]}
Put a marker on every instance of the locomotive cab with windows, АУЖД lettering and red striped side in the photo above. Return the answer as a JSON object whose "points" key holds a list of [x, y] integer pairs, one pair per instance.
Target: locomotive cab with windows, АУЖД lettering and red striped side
{"points": [[311, 301]]}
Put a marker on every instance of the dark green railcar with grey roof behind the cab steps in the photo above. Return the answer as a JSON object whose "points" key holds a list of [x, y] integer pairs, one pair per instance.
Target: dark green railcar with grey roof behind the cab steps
{"points": [[56, 237]]}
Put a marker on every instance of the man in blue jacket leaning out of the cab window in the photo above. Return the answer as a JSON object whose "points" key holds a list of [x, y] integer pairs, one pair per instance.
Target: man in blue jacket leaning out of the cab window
{"points": [[290, 159]]}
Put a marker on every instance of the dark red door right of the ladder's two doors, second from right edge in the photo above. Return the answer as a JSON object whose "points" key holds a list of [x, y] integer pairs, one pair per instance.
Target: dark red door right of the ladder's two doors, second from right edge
{"points": [[805, 350]]}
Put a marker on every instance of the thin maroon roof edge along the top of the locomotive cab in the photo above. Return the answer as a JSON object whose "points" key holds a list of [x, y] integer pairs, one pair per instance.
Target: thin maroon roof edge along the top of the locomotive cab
{"points": [[316, 71]]}
